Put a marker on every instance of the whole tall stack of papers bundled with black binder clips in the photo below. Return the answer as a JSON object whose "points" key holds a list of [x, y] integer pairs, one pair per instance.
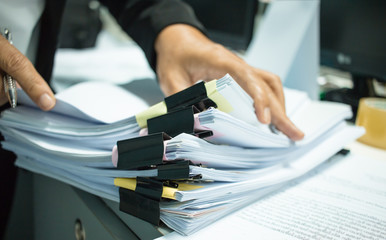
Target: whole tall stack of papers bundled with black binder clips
{"points": [[186, 161]]}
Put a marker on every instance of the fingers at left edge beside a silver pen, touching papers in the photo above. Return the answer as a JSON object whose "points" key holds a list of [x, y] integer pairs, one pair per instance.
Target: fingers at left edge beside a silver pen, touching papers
{"points": [[22, 70]]}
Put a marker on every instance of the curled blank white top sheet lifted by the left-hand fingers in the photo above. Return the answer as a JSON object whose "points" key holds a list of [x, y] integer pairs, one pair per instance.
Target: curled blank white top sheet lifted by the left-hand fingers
{"points": [[96, 102]]}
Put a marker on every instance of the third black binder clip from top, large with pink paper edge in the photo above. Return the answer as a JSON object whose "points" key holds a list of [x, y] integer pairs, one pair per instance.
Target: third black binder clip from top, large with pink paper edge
{"points": [[140, 152]]}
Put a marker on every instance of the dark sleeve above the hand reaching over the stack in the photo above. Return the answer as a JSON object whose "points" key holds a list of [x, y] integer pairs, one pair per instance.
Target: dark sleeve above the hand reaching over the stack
{"points": [[143, 20]]}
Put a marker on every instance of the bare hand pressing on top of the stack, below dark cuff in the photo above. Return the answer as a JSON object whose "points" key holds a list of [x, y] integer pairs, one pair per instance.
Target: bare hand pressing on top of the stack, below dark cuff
{"points": [[185, 55]]}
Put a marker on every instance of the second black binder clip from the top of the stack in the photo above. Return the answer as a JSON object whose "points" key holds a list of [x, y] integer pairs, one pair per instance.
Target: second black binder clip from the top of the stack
{"points": [[174, 123]]}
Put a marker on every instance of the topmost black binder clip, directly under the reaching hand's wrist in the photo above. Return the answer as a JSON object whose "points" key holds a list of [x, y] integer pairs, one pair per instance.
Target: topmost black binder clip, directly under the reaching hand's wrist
{"points": [[195, 95]]}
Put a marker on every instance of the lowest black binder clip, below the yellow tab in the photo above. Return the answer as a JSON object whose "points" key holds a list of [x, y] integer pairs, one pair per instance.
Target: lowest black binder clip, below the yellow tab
{"points": [[144, 201]]}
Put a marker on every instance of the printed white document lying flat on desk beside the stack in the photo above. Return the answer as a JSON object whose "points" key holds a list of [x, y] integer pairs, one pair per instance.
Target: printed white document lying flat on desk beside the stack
{"points": [[345, 198]]}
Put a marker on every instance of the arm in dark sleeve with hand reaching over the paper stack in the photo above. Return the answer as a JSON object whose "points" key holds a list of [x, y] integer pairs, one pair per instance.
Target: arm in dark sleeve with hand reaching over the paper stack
{"points": [[176, 48]]}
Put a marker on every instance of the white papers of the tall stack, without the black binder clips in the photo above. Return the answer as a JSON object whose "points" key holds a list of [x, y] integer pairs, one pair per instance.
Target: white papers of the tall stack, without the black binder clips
{"points": [[242, 161]]}
